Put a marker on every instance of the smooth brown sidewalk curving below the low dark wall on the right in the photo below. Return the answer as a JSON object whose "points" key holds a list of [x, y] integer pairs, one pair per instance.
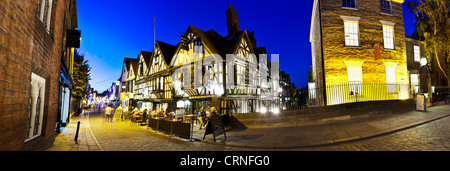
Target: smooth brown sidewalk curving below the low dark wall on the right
{"points": [[328, 133]]}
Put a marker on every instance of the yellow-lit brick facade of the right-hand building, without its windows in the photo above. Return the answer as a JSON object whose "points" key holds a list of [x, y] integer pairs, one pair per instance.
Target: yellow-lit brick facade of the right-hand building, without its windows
{"points": [[370, 34]]}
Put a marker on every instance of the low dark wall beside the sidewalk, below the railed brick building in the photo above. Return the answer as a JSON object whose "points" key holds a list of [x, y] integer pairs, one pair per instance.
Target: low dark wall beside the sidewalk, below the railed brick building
{"points": [[322, 114]]}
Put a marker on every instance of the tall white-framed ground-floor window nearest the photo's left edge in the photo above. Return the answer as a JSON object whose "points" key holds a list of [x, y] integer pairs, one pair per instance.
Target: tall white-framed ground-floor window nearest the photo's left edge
{"points": [[36, 112]]}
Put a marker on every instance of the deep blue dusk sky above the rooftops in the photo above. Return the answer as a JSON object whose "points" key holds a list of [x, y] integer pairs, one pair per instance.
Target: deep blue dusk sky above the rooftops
{"points": [[113, 29]]}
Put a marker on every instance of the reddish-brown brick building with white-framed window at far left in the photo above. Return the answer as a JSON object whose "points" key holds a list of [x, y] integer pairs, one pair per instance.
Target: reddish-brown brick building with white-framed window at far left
{"points": [[31, 36]]}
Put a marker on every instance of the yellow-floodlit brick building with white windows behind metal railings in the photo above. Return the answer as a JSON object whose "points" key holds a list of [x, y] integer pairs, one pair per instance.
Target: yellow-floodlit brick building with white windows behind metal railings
{"points": [[358, 51]]}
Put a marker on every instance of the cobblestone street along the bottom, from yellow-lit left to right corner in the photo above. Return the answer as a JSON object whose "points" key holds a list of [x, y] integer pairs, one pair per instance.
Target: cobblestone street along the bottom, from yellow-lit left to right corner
{"points": [[97, 135]]}
